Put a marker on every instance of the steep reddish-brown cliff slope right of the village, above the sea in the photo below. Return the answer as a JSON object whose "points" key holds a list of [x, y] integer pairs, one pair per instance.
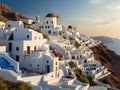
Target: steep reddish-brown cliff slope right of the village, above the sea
{"points": [[110, 60]]}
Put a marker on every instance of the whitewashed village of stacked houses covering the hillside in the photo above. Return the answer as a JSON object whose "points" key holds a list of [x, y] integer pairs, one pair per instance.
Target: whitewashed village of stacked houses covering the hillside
{"points": [[45, 55]]}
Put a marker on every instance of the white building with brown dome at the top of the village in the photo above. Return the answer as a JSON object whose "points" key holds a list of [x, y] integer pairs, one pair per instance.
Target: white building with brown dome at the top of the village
{"points": [[49, 26]]}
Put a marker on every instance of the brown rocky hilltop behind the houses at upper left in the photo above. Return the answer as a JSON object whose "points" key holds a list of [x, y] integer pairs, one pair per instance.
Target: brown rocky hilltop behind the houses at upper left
{"points": [[7, 14]]}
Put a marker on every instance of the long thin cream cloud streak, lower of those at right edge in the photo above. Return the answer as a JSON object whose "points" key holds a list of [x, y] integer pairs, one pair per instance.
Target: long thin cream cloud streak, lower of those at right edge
{"points": [[100, 21]]}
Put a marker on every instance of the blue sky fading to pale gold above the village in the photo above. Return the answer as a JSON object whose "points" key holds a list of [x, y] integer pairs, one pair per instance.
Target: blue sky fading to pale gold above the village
{"points": [[91, 17]]}
